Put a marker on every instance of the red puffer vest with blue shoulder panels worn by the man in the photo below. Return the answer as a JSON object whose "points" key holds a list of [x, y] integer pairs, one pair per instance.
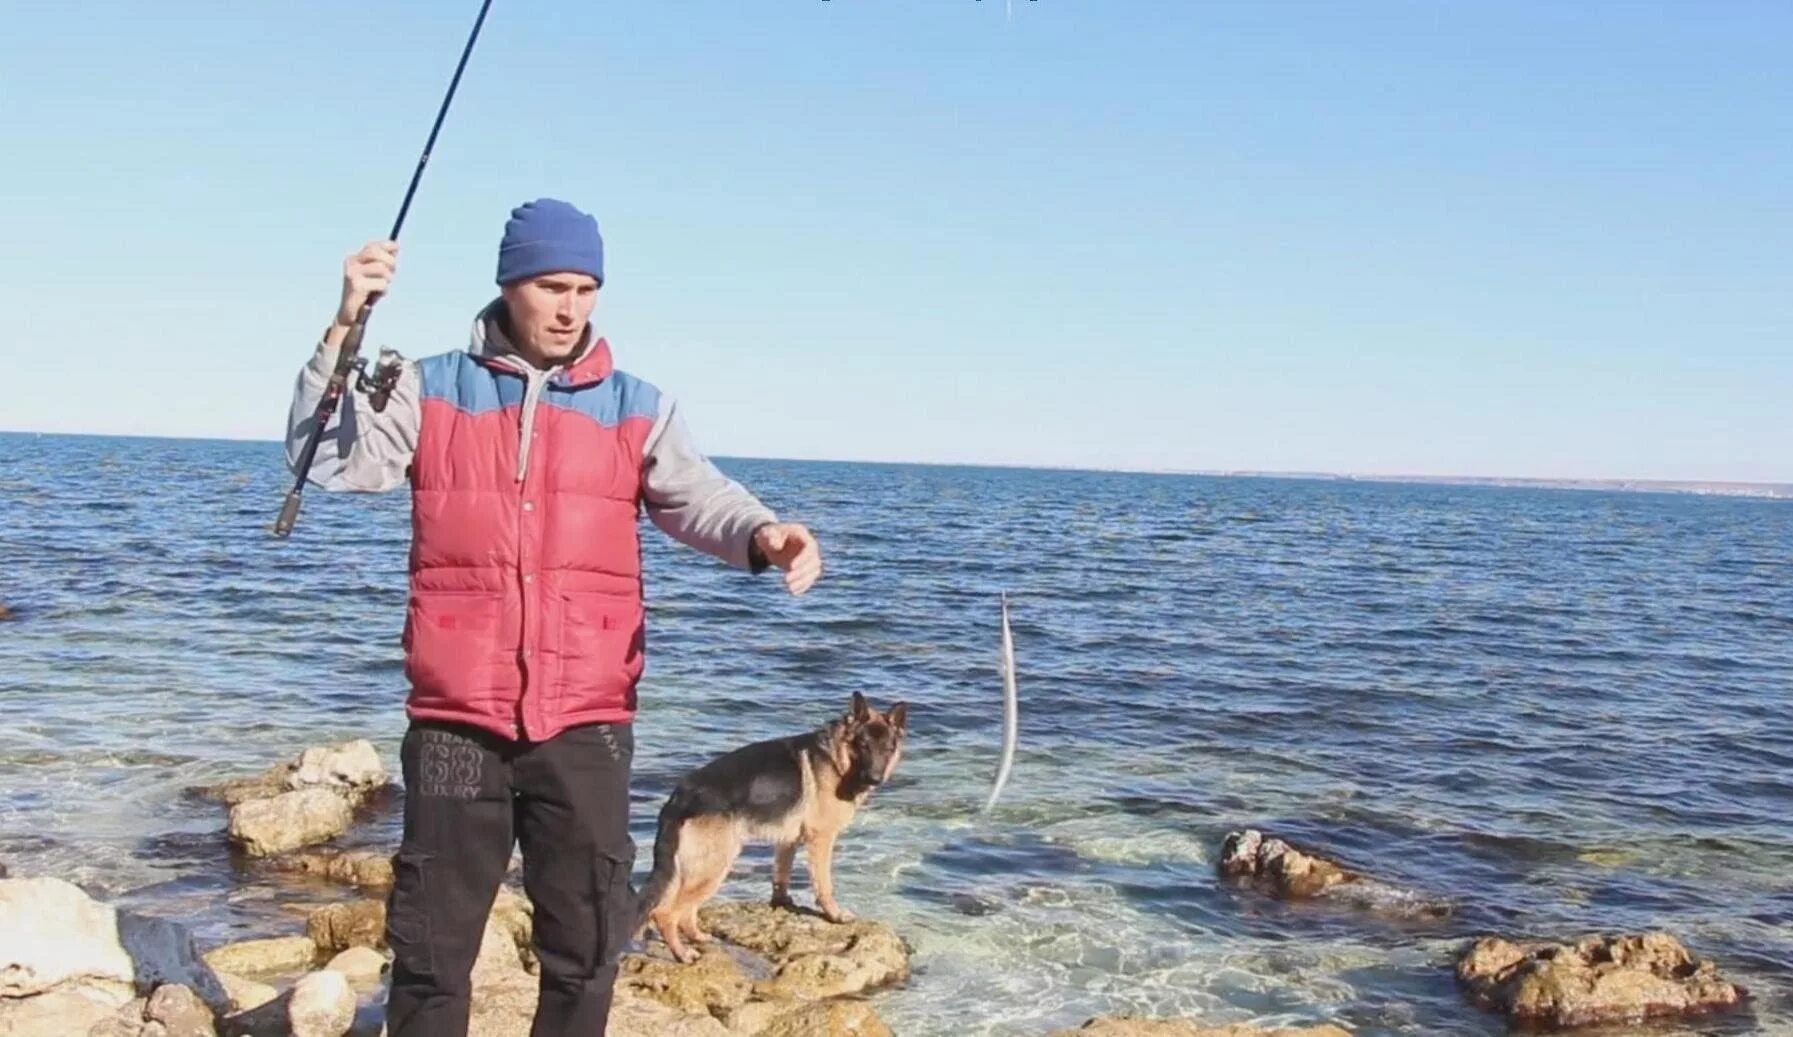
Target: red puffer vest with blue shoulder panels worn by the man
{"points": [[526, 573]]}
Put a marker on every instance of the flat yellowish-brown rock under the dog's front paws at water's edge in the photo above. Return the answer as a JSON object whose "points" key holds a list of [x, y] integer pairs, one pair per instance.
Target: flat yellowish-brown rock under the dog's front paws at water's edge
{"points": [[813, 957]]}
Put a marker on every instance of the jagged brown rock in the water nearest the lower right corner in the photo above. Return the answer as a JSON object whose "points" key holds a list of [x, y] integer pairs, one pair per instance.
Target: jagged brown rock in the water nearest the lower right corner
{"points": [[1598, 980]]}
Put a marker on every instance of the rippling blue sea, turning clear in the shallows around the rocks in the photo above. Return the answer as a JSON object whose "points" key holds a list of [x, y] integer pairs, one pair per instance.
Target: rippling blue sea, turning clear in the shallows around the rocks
{"points": [[1563, 711]]}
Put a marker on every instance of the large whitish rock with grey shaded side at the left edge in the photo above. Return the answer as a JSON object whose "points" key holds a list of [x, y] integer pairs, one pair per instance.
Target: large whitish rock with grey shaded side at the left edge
{"points": [[53, 936]]}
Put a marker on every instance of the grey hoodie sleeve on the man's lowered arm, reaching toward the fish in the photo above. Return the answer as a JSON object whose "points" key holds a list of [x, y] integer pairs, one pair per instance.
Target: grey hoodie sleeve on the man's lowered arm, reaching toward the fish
{"points": [[691, 501]]}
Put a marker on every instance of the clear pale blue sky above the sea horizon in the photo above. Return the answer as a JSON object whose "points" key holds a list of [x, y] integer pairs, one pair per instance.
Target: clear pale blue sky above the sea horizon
{"points": [[1505, 240]]}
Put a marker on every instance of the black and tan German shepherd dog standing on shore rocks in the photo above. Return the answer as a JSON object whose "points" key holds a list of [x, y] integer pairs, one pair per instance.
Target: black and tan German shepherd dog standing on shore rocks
{"points": [[799, 790]]}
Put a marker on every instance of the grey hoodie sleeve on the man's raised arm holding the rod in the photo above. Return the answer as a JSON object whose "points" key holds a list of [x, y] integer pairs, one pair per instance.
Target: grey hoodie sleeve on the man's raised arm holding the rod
{"points": [[363, 449]]}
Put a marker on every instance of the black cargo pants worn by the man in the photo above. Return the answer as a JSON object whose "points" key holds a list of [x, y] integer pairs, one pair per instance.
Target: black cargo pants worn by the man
{"points": [[469, 799]]}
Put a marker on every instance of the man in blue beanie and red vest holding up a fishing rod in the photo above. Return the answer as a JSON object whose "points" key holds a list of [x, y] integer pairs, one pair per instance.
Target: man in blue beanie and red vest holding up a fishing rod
{"points": [[528, 458]]}
